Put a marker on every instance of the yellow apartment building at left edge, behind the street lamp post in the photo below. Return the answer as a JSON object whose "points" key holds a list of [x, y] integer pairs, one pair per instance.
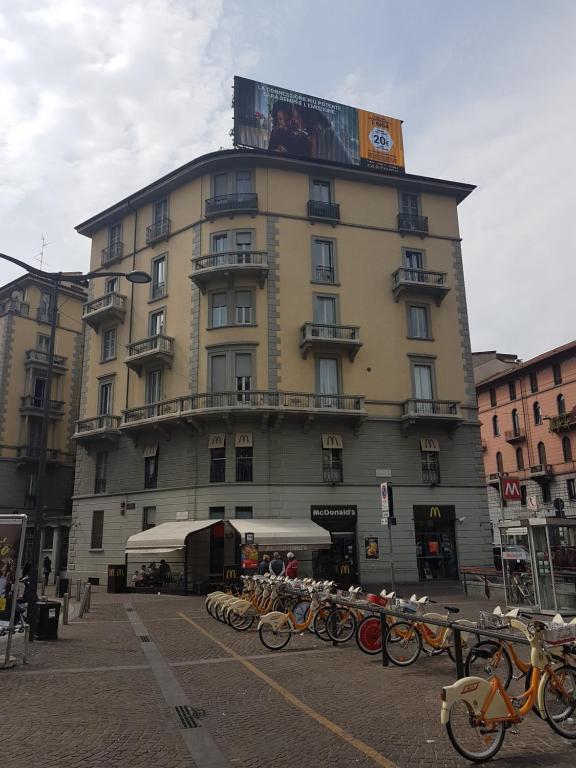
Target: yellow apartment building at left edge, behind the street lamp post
{"points": [[25, 312]]}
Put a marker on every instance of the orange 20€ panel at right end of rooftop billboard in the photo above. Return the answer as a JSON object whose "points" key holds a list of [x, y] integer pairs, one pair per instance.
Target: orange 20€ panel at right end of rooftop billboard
{"points": [[380, 140]]}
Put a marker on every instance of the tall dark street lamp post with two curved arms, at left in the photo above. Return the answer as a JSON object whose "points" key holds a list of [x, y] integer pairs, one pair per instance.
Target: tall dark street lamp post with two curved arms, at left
{"points": [[55, 278]]}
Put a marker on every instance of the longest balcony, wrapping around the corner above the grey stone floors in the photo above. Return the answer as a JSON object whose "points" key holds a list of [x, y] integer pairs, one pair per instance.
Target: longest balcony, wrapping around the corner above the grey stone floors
{"points": [[259, 402]]}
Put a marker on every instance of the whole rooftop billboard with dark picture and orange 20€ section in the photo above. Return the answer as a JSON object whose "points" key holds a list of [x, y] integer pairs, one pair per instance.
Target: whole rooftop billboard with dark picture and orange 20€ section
{"points": [[279, 120]]}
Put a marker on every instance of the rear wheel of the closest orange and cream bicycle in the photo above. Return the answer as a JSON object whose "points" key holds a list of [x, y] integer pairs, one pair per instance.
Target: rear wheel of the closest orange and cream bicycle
{"points": [[473, 741]]}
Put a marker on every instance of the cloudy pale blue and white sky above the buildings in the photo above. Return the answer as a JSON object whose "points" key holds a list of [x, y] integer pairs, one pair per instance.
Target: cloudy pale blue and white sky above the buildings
{"points": [[100, 98]]}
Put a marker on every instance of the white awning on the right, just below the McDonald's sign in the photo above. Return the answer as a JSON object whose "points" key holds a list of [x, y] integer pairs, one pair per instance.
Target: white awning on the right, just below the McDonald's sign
{"points": [[283, 534]]}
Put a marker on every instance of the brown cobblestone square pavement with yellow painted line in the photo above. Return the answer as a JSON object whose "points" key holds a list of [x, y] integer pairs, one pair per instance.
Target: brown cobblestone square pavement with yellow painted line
{"points": [[95, 699]]}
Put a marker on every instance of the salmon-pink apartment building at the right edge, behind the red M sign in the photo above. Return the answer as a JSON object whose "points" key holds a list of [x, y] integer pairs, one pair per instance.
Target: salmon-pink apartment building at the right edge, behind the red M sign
{"points": [[528, 416]]}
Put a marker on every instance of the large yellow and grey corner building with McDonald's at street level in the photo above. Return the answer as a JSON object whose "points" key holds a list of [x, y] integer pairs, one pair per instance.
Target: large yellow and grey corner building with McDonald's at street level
{"points": [[304, 338]]}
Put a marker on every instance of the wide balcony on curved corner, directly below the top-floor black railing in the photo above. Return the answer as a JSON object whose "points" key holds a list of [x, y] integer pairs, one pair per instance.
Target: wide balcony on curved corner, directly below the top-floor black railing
{"points": [[228, 266]]}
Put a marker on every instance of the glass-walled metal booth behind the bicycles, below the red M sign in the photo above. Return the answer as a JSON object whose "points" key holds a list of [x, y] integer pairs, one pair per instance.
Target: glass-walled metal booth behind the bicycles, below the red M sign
{"points": [[539, 563]]}
